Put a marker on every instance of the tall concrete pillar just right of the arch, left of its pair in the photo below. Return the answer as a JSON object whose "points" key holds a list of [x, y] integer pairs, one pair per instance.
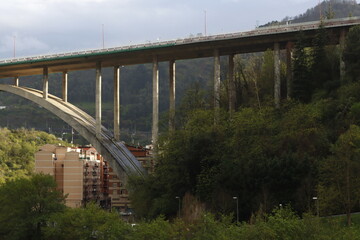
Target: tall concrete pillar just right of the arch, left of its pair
{"points": [[155, 117]]}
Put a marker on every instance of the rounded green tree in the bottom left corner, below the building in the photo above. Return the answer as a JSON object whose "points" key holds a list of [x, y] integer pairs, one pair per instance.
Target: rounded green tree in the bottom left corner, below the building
{"points": [[26, 205]]}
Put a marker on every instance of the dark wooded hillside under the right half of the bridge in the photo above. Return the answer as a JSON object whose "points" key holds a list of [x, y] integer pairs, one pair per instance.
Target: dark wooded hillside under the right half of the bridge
{"points": [[262, 155]]}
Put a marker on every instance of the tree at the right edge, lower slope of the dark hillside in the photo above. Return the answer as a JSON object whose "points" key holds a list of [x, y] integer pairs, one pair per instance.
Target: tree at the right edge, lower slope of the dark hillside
{"points": [[340, 180]]}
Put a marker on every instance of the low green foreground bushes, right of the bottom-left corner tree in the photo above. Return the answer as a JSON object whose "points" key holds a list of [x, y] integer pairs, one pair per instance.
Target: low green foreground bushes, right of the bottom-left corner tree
{"points": [[281, 224]]}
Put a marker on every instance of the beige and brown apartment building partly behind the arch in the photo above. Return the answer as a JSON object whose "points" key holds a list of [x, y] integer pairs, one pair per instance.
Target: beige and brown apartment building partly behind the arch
{"points": [[82, 174]]}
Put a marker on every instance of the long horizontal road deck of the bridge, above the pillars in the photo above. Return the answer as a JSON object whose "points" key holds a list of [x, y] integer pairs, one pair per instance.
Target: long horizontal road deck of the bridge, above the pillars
{"points": [[256, 40]]}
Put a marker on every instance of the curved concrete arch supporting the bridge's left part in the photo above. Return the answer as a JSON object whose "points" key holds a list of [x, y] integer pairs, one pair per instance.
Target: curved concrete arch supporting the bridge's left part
{"points": [[115, 152]]}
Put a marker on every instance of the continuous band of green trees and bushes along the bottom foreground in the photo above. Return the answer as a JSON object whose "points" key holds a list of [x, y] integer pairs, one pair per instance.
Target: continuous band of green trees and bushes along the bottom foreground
{"points": [[32, 208]]}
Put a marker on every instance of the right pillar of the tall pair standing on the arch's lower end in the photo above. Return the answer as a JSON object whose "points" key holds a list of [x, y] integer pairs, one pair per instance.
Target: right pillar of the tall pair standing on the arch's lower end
{"points": [[117, 103]]}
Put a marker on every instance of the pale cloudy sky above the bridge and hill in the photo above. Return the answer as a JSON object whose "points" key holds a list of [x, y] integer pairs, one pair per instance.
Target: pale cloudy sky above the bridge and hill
{"points": [[51, 26]]}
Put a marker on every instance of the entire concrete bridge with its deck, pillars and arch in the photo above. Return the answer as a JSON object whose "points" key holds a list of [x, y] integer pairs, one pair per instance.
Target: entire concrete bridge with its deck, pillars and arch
{"points": [[277, 38]]}
